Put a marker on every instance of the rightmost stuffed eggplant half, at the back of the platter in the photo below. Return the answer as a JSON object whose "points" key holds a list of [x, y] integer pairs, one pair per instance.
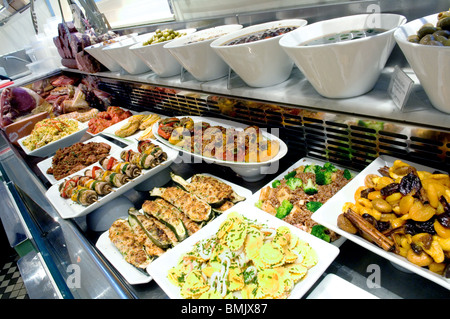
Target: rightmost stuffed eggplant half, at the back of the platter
{"points": [[210, 189]]}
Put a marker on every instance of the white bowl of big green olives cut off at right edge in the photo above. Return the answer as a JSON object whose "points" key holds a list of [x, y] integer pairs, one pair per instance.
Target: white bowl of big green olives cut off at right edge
{"points": [[431, 64]]}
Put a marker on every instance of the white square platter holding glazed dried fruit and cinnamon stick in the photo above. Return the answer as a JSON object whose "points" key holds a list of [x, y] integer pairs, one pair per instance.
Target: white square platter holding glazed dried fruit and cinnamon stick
{"points": [[327, 215]]}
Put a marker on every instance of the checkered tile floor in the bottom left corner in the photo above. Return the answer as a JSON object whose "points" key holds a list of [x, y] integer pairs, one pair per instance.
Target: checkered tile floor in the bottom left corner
{"points": [[11, 283]]}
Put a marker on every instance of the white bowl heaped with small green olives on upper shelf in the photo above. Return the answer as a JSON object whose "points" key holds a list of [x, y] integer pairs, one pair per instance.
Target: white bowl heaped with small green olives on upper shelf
{"points": [[158, 59]]}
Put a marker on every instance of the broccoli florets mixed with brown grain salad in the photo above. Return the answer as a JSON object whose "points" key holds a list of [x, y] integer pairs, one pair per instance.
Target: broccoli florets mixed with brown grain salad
{"points": [[301, 192]]}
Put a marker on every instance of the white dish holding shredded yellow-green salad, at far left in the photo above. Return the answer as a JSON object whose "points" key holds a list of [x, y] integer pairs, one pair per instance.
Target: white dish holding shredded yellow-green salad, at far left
{"points": [[51, 148]]}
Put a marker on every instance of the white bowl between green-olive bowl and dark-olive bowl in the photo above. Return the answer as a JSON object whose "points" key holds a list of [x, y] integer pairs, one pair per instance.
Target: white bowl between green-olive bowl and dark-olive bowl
{"points": [[196, 55]]}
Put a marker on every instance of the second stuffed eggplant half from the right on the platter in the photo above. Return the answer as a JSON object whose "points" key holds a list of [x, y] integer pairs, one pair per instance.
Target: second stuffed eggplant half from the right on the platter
{"points": [[195, 208]]}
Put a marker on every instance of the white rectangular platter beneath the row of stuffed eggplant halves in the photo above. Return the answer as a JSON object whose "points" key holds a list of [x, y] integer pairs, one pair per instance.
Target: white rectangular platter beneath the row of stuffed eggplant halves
{"points": [[132, 274]]}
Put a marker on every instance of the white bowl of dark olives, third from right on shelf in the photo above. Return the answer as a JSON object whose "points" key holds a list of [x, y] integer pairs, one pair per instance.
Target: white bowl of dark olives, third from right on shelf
{"points": [[260, 63]]}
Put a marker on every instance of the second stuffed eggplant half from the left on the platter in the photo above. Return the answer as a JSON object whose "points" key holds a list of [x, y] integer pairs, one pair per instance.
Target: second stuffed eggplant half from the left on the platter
{"points": [[156, 235]]}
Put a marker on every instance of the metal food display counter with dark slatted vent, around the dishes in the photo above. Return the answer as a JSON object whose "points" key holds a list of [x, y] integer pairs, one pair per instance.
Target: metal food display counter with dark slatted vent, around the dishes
{"points": [[350, 133]]}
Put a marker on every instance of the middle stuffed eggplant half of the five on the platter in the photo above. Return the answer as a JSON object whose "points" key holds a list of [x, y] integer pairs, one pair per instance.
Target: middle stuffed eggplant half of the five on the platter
{"points": [[167, 217]]}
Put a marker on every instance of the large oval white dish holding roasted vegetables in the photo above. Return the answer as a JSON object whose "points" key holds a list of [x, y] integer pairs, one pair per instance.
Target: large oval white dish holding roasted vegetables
{"points": [[249, 171]]}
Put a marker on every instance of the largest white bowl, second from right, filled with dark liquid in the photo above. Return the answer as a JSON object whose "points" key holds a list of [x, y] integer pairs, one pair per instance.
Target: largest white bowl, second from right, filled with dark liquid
{"points": [[345, 69]]}
